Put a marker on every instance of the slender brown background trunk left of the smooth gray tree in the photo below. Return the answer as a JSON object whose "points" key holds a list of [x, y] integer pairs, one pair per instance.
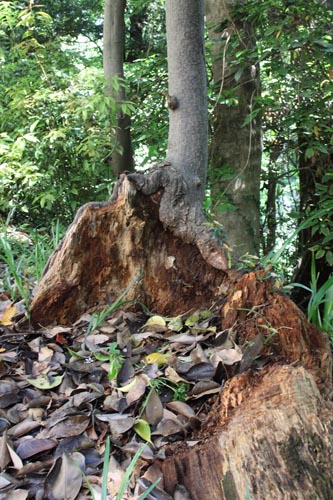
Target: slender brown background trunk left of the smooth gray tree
{"points": [[113, 59]]}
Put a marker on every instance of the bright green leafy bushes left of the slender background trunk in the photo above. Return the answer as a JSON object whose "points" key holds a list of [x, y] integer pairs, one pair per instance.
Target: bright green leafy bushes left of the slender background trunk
{"points": [[56, 119]]}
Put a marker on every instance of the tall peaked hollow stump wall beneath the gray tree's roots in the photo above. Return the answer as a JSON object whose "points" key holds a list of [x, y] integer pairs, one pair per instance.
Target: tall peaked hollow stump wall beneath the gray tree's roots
{"points": [[108, 246]]}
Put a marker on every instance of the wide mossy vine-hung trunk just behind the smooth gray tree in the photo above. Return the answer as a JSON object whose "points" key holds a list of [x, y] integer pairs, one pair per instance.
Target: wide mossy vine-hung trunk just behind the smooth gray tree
{"points": [[235, 148]]}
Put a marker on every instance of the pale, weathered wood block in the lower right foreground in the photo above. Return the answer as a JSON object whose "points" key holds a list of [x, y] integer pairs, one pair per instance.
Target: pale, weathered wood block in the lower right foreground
{"points": [[270, 437]]}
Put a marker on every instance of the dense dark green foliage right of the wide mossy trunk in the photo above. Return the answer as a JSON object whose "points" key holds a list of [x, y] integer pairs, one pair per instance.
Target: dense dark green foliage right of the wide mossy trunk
{"points": [[295, 50]]}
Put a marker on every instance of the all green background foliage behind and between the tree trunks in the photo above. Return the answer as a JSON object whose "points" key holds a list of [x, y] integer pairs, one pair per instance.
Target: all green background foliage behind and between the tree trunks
{"points": [[55, 140]]}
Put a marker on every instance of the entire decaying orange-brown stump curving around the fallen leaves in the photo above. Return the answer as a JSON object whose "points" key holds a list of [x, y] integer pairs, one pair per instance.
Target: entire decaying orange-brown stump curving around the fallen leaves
{"points": [[269, 434]]}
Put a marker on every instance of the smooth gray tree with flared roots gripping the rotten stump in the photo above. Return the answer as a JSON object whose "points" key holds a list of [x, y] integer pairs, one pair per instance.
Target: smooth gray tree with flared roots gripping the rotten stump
{"points": [[180, 180]]}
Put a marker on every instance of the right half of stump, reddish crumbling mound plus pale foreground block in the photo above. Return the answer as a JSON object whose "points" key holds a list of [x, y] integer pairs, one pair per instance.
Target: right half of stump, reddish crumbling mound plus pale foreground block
{"points": [[270, 434]]}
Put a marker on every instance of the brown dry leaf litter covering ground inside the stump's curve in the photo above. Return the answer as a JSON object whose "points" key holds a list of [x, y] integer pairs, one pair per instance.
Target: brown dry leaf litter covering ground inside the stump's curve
{"points": [[144, 382]]}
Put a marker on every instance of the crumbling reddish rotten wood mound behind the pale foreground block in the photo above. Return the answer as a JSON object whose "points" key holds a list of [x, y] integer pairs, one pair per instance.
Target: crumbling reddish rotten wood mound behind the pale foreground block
{"points": [[254, 306]]}
